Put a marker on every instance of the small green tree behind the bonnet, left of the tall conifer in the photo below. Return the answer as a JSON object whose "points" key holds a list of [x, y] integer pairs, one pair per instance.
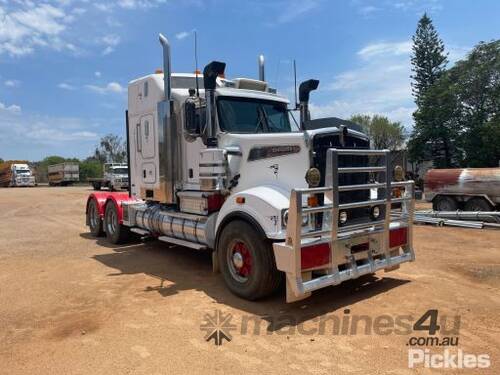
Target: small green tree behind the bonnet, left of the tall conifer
{"points": [[383, 133]]}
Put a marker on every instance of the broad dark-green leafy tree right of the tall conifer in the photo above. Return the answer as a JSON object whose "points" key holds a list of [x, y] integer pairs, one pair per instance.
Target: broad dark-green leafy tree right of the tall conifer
{"points": [[464, 106]]}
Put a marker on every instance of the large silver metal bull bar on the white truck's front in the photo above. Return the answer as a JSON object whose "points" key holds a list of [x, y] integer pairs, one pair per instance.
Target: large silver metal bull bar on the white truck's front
{"points": [[346, 259]]}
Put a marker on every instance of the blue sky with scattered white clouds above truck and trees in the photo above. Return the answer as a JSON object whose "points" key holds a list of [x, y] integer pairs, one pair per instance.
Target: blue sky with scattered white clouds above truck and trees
{"points": [[65, 64]]}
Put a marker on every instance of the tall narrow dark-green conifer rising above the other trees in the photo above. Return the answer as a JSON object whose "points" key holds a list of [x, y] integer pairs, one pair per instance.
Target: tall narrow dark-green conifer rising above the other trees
{"points": [[430, 136]]}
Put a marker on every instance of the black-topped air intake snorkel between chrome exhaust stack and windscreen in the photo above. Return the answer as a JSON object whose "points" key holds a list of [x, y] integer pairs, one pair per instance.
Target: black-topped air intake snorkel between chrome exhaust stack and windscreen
{"points": [[210, 74]]}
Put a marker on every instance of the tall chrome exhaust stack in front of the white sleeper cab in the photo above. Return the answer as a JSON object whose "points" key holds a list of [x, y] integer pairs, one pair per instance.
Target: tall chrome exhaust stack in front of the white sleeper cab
{"points": [[169, 158]]}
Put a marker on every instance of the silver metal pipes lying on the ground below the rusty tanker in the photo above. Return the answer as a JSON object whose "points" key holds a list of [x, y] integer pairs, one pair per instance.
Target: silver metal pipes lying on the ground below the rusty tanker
{"points": [[464, 219]]}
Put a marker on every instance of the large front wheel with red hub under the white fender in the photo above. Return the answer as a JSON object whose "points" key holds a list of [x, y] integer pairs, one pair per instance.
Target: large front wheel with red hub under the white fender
{"points": [[247, 261]]}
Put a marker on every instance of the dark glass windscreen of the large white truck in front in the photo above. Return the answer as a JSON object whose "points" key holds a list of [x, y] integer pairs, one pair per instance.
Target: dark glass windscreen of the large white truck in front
{"points": [[247, 115]]}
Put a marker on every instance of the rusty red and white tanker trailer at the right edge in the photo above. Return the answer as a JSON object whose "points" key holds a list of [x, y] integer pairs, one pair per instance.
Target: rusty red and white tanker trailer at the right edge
{"points": [[470, 189]]}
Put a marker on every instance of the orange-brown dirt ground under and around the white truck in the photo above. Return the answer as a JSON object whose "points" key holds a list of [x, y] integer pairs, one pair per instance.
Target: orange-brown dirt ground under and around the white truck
{"points": [[73, 304]]}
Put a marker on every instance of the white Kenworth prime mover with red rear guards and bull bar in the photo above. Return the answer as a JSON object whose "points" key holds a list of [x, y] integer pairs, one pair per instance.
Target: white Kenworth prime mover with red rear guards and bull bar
{"points": [[221, 165]]}
